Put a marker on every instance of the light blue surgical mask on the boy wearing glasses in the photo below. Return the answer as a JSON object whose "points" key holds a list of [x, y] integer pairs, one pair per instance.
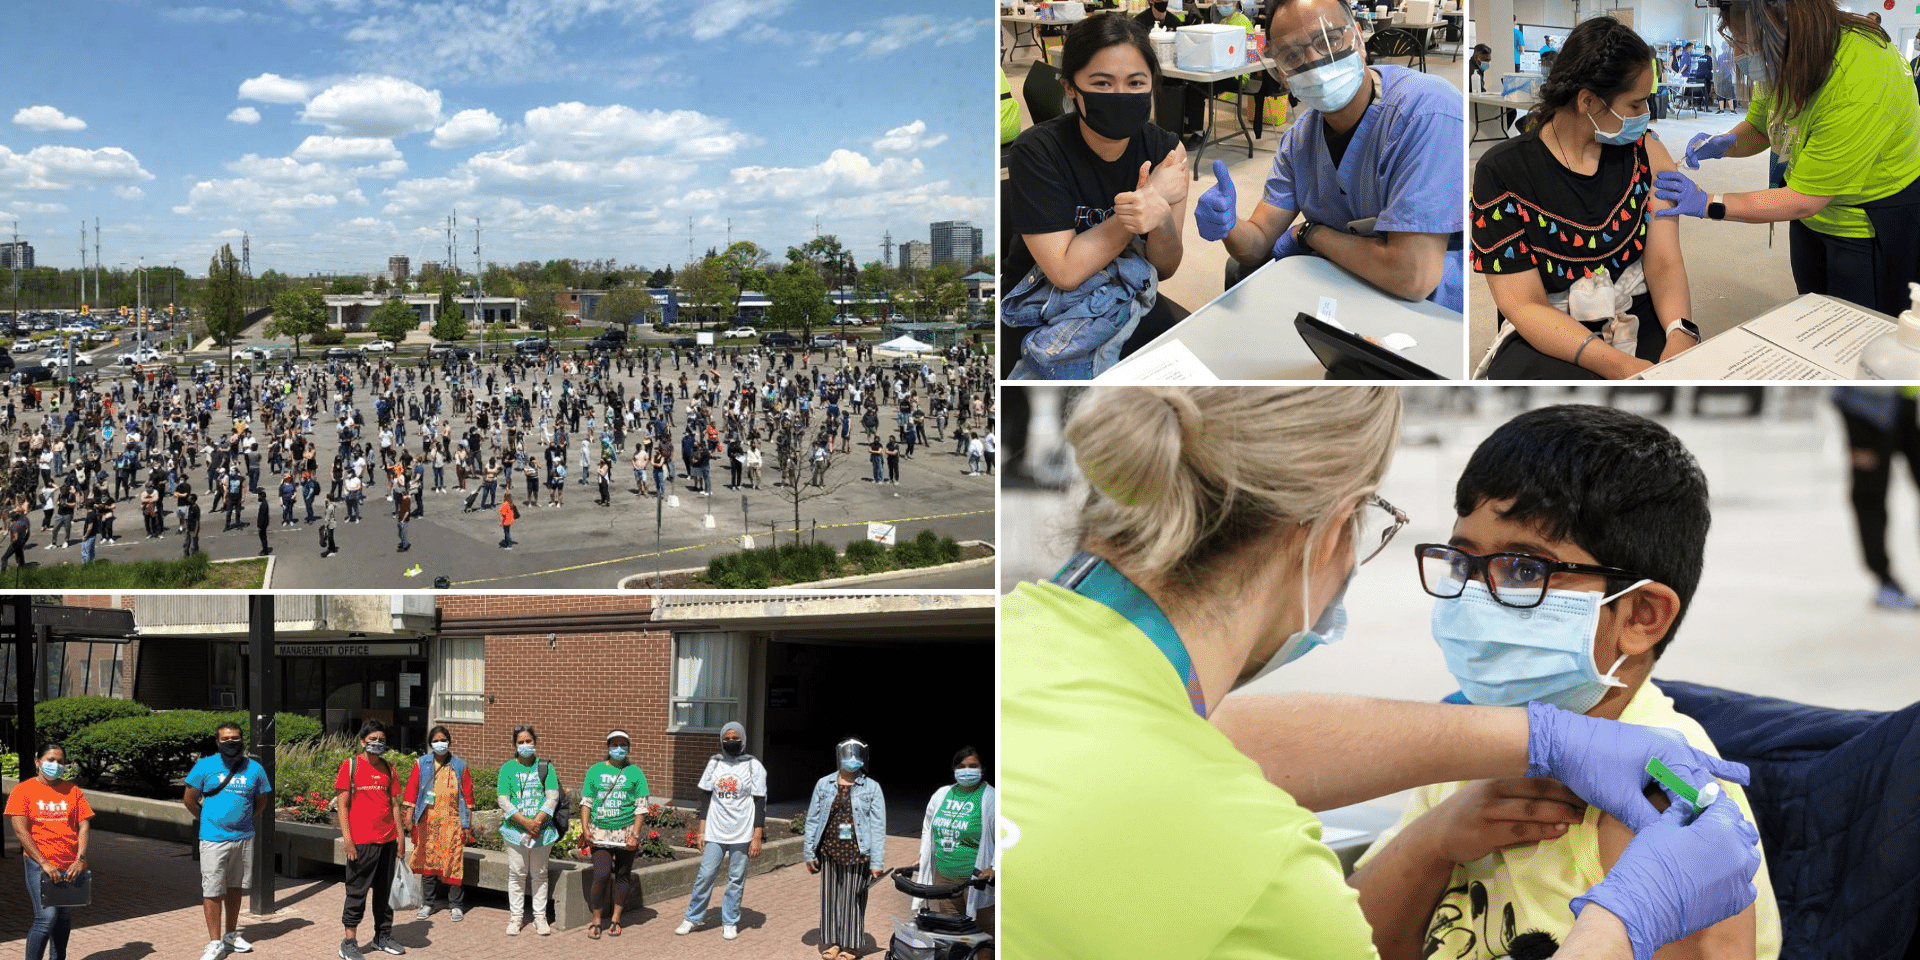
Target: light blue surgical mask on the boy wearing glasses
{"points": [[1508, 656]]}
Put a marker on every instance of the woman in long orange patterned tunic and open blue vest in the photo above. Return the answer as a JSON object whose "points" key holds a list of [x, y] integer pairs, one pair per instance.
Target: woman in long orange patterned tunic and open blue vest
{"points": [[439, 815]]}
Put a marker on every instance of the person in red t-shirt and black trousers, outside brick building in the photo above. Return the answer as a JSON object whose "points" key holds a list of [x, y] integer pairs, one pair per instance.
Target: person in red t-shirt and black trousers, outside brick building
{"points": [[368, 809]]}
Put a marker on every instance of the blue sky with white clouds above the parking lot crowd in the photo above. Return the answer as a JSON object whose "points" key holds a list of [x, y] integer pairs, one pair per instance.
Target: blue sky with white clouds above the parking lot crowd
{"points": [[343, 132]]}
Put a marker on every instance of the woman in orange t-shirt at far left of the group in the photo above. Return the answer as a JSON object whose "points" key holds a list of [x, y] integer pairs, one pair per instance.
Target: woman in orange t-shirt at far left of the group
{"points": [[53, 825]]}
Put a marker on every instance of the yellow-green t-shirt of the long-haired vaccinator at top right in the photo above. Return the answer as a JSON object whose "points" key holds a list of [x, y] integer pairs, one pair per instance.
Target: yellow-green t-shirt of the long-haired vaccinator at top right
{"points": [[1860, 141]]}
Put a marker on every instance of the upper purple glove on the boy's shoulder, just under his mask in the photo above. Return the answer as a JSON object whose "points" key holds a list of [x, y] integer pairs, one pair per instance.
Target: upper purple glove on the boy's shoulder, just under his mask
{"points": [[1606, 761]]}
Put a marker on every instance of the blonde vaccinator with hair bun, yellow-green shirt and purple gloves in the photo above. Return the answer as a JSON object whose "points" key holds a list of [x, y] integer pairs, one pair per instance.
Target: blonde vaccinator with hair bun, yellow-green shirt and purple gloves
{"points": [[1218, 540]]}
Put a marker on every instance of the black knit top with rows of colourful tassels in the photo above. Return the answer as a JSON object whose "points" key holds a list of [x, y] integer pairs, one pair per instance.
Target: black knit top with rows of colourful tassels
{"points": [[1533, 214]]}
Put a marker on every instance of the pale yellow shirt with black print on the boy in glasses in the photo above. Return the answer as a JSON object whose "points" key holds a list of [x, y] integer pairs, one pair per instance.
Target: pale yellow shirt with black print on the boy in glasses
{"points": [[1527, 888]]}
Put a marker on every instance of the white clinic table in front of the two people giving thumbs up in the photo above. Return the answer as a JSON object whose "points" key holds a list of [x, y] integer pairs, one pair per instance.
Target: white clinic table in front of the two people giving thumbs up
{"points": [[1249, 331]]}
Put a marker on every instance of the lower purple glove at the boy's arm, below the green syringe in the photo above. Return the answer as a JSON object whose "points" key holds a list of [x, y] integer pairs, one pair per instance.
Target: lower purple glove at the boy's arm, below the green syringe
{"points": [[1679, 878]]}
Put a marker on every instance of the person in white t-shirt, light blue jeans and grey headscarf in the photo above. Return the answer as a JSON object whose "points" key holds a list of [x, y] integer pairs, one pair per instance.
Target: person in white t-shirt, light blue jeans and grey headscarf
{"points": [[731, 830]]}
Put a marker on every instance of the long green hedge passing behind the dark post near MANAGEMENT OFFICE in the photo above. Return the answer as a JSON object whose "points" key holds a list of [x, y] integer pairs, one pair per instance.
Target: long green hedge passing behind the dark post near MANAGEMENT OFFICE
{"points": [[153, 752]]}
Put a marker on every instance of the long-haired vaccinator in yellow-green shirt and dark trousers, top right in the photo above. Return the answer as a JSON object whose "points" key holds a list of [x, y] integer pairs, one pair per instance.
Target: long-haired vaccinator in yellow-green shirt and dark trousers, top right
{"points": [[1835, 101]]}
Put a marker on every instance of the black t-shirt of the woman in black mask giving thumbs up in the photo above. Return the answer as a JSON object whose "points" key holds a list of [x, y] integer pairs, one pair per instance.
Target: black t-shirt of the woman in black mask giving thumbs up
{"points": [[1059, 183]]}
